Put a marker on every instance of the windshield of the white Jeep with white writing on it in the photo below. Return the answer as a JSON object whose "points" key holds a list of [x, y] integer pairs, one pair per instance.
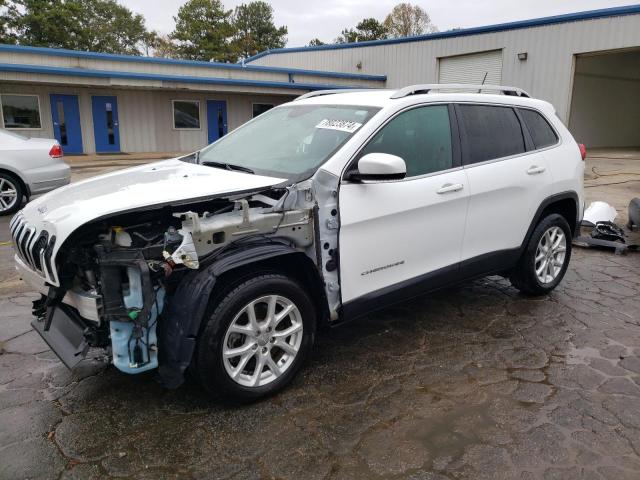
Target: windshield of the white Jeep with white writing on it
{"points": [[290, 142]]}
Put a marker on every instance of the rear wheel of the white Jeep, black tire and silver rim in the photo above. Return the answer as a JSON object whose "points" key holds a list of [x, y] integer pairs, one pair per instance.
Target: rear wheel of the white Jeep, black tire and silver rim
{"points": [[546, 257]]}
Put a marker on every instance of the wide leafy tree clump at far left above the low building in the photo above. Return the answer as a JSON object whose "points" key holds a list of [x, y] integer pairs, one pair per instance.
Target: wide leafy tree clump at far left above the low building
{"points": [[95, 25]]}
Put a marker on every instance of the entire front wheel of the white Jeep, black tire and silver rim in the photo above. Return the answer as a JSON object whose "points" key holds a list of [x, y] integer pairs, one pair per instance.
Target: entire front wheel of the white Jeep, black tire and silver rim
{"points": [[256, 339]]}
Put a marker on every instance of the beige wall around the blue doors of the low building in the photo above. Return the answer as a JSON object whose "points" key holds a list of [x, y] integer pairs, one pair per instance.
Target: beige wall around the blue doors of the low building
{"points": [[145, 117]]}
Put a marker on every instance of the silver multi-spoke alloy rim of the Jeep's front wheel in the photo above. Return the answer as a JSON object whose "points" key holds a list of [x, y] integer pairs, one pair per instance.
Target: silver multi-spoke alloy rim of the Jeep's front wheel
{"points": [[262, 341]]}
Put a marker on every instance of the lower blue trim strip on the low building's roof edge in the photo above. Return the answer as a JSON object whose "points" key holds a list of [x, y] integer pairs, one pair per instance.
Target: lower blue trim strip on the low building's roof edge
{"points": [[83, 72]]}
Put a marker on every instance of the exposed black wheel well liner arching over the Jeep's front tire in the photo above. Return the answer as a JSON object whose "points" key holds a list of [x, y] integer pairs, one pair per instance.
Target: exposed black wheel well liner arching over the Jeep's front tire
{"points": [[192, 299]]}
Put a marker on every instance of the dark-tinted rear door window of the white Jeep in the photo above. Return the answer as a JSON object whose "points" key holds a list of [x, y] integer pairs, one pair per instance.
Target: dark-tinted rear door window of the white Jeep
{"points": [[491, 132]]}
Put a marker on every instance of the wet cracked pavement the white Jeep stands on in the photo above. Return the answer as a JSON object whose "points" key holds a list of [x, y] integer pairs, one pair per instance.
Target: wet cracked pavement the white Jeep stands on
{"points": [[471, 382]]}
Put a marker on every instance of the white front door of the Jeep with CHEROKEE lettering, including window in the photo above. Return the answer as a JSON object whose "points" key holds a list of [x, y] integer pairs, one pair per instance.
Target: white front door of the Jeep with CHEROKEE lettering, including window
{"points": [[397, 237]]}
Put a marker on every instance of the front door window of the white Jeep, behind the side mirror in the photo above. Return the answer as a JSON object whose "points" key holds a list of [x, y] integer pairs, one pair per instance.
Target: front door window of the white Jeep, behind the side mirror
{"points": [[421, 137]]}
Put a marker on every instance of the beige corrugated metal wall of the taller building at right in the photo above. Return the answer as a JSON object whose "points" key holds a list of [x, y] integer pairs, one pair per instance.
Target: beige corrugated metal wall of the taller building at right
{"points": [[546, 74]]}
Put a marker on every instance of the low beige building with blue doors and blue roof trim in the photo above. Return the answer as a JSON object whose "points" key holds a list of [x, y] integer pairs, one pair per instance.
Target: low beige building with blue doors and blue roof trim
{"points": [[93, 102]]}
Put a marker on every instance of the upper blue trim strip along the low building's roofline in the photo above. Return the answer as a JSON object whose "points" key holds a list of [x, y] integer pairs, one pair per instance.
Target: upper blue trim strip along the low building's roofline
{"points": [[61, 52]]}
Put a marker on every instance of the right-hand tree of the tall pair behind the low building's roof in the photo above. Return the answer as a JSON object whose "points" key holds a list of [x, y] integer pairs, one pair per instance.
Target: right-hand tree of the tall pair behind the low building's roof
{"points": [[255, 30]]}
